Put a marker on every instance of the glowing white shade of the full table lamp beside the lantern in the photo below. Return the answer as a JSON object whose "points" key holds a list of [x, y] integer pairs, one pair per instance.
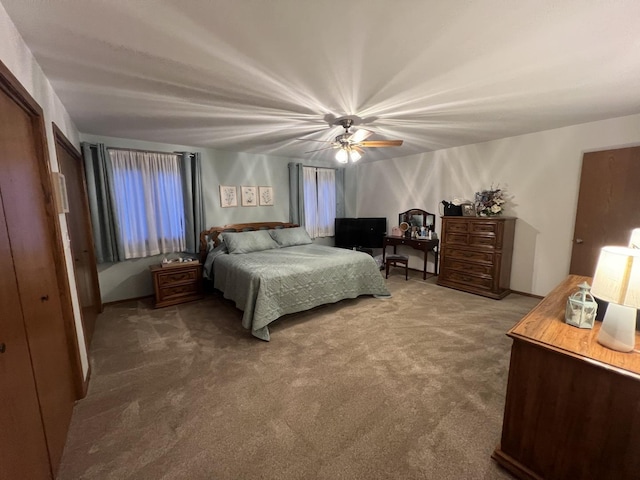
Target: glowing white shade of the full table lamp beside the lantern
{"points": [[617, 276]]}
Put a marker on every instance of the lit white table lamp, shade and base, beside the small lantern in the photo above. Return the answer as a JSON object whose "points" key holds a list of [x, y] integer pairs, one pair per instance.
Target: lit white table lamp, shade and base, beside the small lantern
{"points": [[617, 281]]}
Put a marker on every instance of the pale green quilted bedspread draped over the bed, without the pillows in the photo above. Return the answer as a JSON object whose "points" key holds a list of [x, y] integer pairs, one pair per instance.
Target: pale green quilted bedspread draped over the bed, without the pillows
{"points": [[268, 284]]}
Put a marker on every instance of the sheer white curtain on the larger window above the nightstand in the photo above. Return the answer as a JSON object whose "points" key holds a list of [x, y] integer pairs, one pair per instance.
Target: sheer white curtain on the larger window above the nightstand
{"points": [[149, 202]]}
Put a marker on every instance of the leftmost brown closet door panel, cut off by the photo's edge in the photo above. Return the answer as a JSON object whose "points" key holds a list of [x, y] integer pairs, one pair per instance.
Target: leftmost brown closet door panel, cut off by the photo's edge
{"points": [[23, 449]]}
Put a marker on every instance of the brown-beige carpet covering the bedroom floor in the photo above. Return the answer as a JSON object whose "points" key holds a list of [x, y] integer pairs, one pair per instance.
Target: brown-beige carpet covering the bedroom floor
{"points": [[410, 387]]}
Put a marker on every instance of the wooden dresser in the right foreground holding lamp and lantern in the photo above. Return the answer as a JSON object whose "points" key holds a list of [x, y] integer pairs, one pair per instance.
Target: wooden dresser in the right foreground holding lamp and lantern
{"points": [[572, 408]]}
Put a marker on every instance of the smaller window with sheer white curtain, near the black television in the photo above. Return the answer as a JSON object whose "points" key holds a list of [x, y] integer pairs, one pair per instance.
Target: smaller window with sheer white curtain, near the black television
{"points": [[319, 201]]}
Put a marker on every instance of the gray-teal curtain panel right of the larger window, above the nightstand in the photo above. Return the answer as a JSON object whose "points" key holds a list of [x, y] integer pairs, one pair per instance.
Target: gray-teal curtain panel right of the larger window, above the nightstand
{"points": [[191, 169]]}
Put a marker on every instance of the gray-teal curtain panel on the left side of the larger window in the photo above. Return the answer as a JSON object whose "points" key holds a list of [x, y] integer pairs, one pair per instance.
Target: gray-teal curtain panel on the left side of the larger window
{"points": [[103, 218]]}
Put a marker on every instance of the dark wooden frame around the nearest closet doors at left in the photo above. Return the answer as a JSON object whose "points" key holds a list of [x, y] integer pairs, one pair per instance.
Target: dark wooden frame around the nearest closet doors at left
{"points": [[11, 86]]}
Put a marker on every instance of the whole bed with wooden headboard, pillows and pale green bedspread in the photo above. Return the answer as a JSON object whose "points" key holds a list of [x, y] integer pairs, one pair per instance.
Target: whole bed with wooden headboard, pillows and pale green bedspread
{"points": [[271, 269]]}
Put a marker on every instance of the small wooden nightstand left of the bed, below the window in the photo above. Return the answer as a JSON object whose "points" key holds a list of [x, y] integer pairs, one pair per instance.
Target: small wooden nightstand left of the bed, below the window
{"points": [[178, 283]]}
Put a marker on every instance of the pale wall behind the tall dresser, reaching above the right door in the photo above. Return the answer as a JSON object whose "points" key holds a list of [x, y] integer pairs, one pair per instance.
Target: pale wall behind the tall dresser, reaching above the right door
{"points": [[539, 171]]}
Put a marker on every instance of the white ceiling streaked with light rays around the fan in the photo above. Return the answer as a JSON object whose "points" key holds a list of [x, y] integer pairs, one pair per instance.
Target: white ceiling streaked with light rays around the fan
{"points": [[255, 75]]}
